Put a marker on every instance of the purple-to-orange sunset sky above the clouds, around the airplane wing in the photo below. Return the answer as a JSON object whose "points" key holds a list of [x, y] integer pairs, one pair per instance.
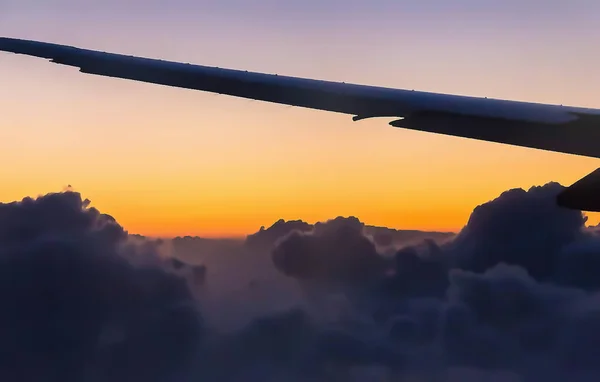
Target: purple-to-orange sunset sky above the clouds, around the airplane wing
{"points": [[167, 161]]}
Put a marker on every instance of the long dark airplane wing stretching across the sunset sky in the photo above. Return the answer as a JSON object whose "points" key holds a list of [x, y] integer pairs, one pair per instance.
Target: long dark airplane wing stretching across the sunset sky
{"points": [[563, 129]]}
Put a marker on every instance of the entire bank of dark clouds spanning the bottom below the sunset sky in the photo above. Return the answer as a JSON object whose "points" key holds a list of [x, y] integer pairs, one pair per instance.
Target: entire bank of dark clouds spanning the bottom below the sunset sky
{"points": [[513, 297]]}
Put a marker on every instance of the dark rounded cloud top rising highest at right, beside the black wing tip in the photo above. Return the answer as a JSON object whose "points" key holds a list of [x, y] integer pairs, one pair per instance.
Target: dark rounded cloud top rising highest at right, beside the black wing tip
{"points": [[523, 228]]}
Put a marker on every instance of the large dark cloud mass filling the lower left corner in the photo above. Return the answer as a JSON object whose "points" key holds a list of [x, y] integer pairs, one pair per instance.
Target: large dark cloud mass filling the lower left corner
{"points": [[74, 308]]}
